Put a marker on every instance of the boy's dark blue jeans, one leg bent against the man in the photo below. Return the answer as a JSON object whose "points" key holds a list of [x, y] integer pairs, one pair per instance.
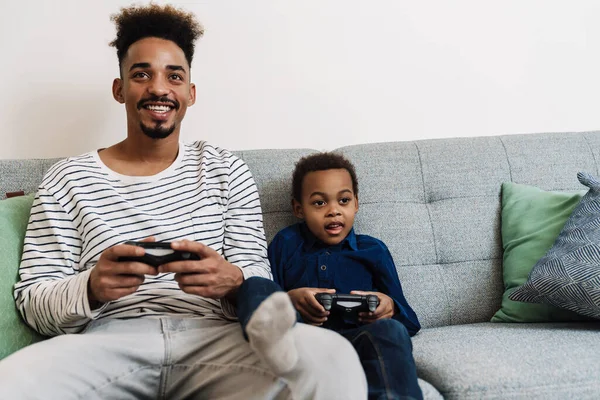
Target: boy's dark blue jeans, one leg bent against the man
{"points": [[384, 347]]}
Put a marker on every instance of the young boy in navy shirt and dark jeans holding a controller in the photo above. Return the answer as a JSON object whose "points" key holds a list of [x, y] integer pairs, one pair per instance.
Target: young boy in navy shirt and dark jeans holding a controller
{"points": [[323, 254]]}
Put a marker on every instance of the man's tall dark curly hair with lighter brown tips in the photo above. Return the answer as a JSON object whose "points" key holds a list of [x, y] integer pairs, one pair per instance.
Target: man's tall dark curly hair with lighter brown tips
{"points": [[164, 22]]}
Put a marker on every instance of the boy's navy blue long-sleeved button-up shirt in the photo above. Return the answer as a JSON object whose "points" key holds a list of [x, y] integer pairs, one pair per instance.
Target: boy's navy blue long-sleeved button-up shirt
{"points": [[360, 262]]}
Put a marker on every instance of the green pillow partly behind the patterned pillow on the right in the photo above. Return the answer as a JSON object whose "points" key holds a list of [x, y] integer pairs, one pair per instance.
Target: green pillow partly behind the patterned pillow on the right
{"points": [[531, 221]]}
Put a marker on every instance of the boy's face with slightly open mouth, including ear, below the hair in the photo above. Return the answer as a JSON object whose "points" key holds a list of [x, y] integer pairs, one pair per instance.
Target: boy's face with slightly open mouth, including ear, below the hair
{"points": [[328, 204]]}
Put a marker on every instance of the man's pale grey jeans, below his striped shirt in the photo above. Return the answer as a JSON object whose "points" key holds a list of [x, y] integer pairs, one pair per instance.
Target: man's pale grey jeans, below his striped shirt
{"points": [[170, 358]]}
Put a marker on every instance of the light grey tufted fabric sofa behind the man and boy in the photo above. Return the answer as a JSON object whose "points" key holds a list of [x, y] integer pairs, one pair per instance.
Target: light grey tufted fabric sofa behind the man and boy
{"points": [[436, 203]]}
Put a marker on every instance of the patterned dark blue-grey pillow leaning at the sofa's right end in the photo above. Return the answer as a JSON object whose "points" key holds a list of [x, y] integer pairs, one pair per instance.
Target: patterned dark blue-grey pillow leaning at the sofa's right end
{"points": [[568, 276]]}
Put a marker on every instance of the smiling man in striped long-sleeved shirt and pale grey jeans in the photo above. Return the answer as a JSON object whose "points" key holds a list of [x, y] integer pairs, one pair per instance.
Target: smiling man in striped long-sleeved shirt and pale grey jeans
{"points": [[129, 330]]}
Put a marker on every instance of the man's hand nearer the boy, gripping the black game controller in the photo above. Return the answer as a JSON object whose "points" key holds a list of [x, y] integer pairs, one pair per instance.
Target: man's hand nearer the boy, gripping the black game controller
{"points": [[212, 276]]}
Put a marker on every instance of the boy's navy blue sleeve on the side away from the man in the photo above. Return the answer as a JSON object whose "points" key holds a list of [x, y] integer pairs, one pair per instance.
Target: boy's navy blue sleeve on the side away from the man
{"points": [[386, 281]]}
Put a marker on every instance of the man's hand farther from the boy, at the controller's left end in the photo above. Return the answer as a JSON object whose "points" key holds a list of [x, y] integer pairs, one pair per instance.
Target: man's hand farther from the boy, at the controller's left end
{"points": [[111, 279]]}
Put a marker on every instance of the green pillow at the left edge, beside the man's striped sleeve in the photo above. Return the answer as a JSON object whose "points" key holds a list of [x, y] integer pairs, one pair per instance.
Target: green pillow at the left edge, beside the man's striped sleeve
{"points": [[14, 215]]}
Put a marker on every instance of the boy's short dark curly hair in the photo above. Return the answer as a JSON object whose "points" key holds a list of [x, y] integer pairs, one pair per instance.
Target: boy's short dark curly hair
{"points": [[320, 162]]}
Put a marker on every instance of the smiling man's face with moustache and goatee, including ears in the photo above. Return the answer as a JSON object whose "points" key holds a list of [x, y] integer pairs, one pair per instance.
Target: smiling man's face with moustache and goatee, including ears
{"points": [[155, 87]]}
